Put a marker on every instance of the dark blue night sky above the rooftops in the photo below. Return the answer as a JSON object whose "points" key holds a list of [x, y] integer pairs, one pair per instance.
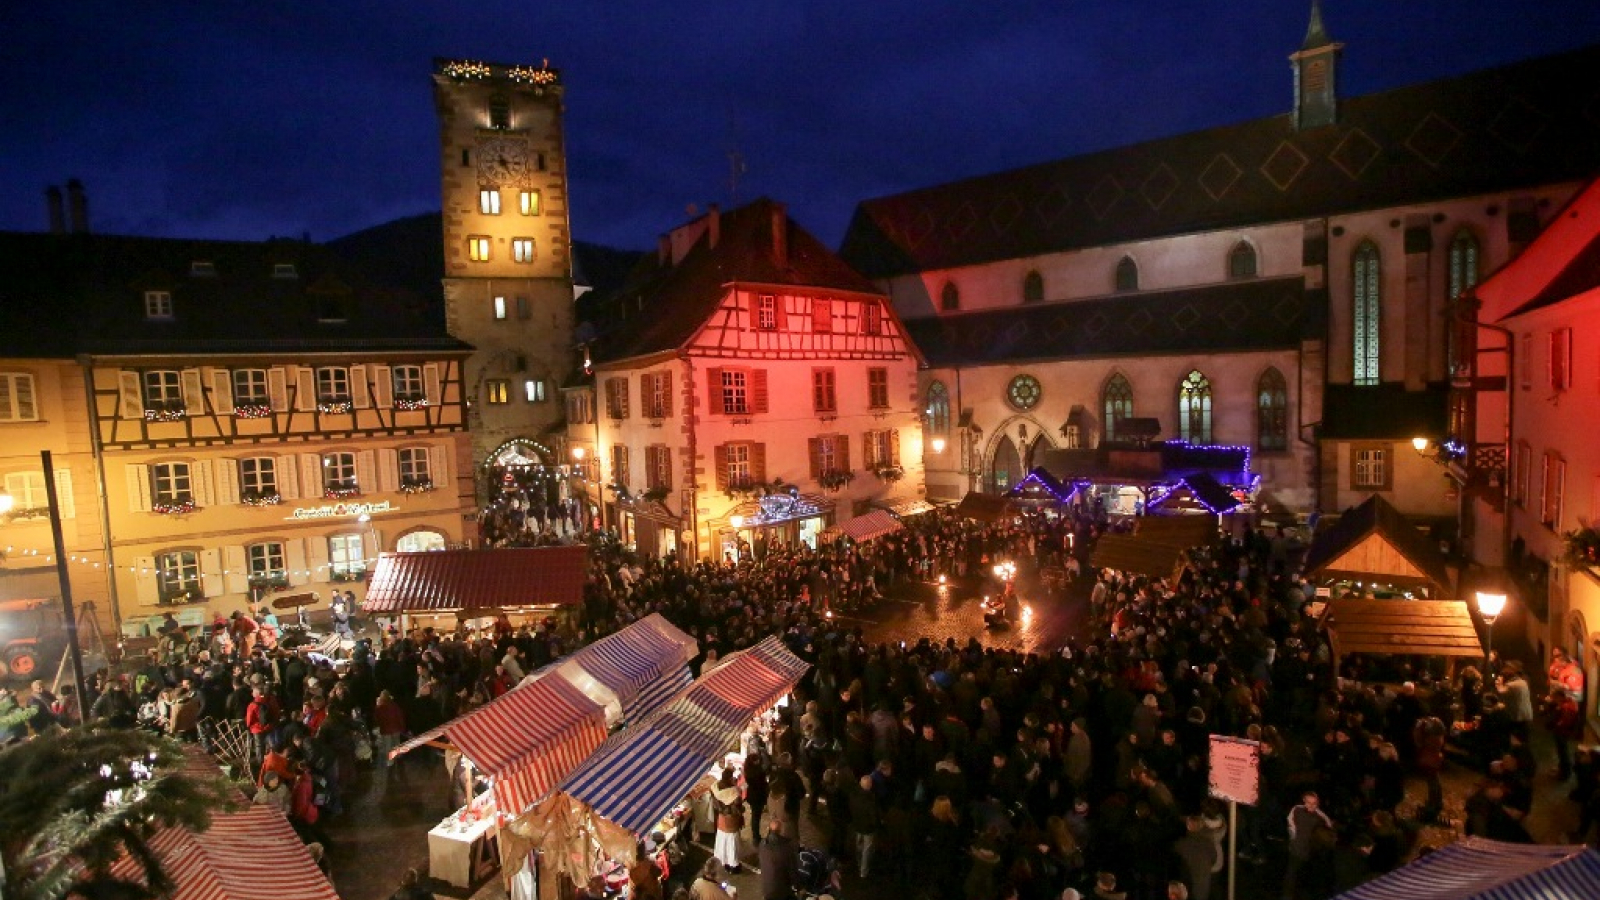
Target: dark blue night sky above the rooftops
{"points": [[244, 121]]}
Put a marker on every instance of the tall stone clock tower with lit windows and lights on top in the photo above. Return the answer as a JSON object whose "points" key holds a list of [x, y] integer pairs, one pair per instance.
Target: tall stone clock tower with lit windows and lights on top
{"points": [[508, 257]]}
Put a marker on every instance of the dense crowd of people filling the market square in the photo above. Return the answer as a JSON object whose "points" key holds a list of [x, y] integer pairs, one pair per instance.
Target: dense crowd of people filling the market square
{"points": [[953, 769]]}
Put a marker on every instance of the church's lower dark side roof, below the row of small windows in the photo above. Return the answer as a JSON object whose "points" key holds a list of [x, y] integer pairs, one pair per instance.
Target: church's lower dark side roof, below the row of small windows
{"points": [[1236, 316]]}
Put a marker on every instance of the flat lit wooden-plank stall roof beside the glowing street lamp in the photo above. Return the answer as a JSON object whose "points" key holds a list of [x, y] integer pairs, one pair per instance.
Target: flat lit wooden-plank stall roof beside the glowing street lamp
{"points": [[1431, 629]]}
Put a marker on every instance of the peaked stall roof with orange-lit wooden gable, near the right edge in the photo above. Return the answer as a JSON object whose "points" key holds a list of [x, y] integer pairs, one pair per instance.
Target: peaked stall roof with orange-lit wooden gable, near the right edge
{"points": [[1377, 544]]}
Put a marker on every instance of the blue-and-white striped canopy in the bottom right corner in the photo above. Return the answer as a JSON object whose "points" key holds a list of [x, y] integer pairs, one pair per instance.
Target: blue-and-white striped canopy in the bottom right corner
{"points": [[1476, 869]]}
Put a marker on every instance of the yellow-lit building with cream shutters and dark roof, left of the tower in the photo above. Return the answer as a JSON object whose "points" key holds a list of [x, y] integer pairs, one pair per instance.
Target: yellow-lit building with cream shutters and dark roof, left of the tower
{"points": [[234, 420]]}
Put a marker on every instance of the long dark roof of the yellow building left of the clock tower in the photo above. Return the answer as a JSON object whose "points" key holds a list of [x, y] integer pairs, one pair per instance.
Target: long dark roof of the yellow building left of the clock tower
{"points": [[86, 295]]}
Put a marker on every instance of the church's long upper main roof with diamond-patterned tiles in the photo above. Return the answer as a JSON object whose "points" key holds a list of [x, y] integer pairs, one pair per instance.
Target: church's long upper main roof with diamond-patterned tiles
{"points": [[1502, 129]]}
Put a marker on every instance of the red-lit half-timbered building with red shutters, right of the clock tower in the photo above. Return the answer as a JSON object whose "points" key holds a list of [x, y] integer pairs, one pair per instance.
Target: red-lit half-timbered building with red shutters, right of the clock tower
{"points": [[750, 390]]}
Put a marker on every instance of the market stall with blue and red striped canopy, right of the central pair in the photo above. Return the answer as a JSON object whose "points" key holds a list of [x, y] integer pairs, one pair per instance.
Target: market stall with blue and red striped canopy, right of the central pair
{"points": [[641, 781]]}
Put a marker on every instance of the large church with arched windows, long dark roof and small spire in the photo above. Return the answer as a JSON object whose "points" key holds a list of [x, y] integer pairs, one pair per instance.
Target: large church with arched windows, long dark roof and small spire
{"points": [[1282, 289]]}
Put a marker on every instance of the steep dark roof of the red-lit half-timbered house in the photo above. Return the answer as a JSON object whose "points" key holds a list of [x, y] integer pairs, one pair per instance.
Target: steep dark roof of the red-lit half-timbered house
{"points": [[663, 305]]}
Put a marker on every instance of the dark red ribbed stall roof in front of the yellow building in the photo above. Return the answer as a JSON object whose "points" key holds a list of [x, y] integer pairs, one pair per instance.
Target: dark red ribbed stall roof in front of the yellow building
{"points": [[478, 579]]}
